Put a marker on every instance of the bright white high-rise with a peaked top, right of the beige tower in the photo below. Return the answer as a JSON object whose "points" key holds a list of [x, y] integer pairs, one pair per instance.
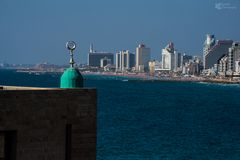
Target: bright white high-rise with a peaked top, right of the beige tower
{"points": [[168, 57]]}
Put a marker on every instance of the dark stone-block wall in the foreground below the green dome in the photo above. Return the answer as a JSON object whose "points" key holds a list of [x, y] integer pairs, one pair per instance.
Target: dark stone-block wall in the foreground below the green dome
{"points": [[39, 118]]}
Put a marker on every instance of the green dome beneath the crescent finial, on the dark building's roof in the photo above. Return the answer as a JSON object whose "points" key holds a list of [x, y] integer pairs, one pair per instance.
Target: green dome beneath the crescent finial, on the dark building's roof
{"points": [[71, 78]]}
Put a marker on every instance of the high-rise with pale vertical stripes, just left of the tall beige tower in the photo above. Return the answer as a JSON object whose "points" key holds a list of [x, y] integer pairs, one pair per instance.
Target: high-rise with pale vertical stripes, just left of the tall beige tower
{"points": [[124, 60]]}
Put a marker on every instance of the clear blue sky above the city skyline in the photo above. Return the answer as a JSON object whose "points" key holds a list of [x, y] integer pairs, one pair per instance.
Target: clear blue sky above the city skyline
{"points": [[36, 31]]}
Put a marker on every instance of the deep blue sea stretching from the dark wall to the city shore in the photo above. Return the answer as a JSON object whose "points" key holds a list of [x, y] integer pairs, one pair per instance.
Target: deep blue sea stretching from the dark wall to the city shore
{"points": [[152, 120]]}
